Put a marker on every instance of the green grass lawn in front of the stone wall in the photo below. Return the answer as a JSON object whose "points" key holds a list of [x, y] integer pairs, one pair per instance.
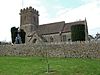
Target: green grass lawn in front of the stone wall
{"points": [[58, 66]]}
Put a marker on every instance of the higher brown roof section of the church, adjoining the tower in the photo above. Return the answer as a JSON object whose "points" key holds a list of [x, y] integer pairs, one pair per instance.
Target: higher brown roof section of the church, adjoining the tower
{"points": [[51, 28]]}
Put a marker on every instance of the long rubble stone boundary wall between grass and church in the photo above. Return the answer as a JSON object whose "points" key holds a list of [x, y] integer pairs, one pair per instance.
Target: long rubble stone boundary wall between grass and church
{"points": [[67, 49]]}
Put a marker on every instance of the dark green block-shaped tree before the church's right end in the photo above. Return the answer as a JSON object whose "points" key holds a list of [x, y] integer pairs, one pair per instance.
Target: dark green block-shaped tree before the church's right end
{"points": [[78, 32]]}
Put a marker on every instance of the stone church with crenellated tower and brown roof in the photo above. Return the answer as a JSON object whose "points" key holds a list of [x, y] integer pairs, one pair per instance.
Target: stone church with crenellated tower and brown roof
{"points": [[52, 32]]}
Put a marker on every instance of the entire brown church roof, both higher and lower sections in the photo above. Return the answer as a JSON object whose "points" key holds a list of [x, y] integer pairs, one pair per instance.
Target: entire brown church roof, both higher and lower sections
{"points": [[57, 27]]}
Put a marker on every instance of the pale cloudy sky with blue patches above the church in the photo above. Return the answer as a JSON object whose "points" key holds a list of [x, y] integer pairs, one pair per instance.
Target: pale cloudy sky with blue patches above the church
{"points": [[50, 11]]}
